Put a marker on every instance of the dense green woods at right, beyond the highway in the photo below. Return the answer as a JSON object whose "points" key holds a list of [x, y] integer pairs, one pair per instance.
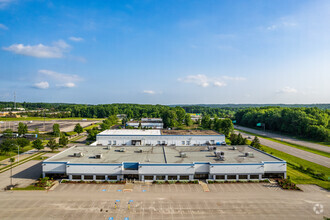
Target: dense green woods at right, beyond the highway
{"points": [[311, 123]]}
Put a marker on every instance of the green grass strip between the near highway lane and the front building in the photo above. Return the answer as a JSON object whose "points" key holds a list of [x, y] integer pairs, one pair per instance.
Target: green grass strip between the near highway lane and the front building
{"points": [[297, 176]]}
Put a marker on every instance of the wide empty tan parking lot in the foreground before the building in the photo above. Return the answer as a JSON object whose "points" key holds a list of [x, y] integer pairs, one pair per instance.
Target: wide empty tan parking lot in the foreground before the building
{"points": [[177, 201]]}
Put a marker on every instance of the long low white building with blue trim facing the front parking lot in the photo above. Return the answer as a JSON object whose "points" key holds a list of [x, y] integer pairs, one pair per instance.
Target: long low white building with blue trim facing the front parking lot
{"points": [[148, 163]]}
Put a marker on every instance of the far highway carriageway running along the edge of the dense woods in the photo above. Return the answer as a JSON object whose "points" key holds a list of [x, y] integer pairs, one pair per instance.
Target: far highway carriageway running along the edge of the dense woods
{"points": [[286, 138]]}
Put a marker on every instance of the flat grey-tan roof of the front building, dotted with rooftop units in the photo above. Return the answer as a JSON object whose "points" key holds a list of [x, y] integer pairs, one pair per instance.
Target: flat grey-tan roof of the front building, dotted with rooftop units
{"points": [[158, 155]]}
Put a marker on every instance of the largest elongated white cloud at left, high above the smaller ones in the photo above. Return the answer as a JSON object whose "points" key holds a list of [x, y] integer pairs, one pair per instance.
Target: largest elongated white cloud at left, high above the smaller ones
{"points": [[57, 50]]}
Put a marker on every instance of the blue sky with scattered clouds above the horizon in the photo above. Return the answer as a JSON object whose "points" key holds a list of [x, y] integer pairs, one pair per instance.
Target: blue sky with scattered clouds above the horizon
{"points": [[165, 52]]}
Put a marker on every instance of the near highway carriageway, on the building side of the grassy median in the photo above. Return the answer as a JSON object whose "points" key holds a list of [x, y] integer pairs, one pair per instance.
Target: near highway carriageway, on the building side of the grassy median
{"points": [[315, 158]]}
